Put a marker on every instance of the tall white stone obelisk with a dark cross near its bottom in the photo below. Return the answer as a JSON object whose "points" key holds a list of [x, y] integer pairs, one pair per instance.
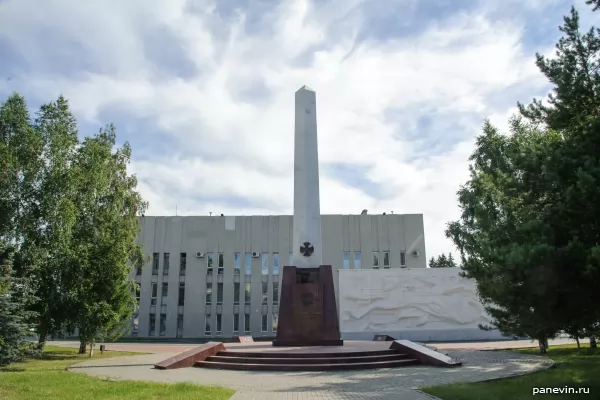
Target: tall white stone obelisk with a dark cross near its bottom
{"points": [[306, 240]]}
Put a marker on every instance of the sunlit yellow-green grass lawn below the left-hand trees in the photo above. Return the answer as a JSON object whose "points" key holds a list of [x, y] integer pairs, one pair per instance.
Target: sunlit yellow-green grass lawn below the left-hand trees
{"points": [[47, 378]]}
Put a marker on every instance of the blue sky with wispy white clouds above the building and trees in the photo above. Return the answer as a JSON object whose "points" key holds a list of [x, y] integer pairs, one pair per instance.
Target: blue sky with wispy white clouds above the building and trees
{"points": [[204, 92]]}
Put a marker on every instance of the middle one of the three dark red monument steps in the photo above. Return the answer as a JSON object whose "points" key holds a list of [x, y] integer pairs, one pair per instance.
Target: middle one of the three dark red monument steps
{"points": [[228, 359]]}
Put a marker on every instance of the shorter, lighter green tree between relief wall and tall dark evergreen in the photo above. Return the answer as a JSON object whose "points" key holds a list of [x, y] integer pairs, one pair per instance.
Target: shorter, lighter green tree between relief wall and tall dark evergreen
{"points": [[503, 244]]}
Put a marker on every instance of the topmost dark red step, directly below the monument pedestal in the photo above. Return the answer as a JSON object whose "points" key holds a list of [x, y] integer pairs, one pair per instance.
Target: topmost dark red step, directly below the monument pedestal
{"points": [[305, 353]]}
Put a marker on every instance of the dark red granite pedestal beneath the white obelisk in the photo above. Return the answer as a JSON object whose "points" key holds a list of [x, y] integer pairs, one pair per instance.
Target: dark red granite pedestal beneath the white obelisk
{"points": [[307, 308]]}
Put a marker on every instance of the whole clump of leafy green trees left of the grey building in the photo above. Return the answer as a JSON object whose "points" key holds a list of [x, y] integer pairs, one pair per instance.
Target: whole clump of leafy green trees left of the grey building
{"points": [[68, 211]]}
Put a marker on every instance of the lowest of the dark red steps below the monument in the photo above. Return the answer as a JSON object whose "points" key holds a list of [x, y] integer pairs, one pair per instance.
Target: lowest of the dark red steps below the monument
{"points": [[307, 367]]}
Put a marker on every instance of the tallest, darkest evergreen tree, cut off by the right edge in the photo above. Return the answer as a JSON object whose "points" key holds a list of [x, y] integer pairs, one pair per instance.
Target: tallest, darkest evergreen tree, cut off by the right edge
{"points": [[573, 167]]}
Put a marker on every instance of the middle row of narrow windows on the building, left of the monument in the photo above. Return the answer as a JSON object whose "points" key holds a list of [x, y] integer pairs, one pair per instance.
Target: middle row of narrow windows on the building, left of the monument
{"points": [[219, 293]]}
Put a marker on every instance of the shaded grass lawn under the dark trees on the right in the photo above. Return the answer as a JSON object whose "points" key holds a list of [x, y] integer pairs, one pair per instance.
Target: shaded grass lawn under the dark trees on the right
{"points": [[576, 369]]}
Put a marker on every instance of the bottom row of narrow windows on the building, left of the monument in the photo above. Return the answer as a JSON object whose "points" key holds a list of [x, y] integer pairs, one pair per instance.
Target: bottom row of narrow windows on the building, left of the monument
{"points": [[207, 324]]}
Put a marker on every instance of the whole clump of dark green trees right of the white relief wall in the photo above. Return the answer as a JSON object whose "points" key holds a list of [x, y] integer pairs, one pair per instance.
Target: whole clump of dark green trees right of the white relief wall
{"points": [[529, 231]]}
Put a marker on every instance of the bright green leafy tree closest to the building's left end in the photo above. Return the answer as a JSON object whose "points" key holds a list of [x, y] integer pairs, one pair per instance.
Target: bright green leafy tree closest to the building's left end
{"points": [[105, 237]]}
